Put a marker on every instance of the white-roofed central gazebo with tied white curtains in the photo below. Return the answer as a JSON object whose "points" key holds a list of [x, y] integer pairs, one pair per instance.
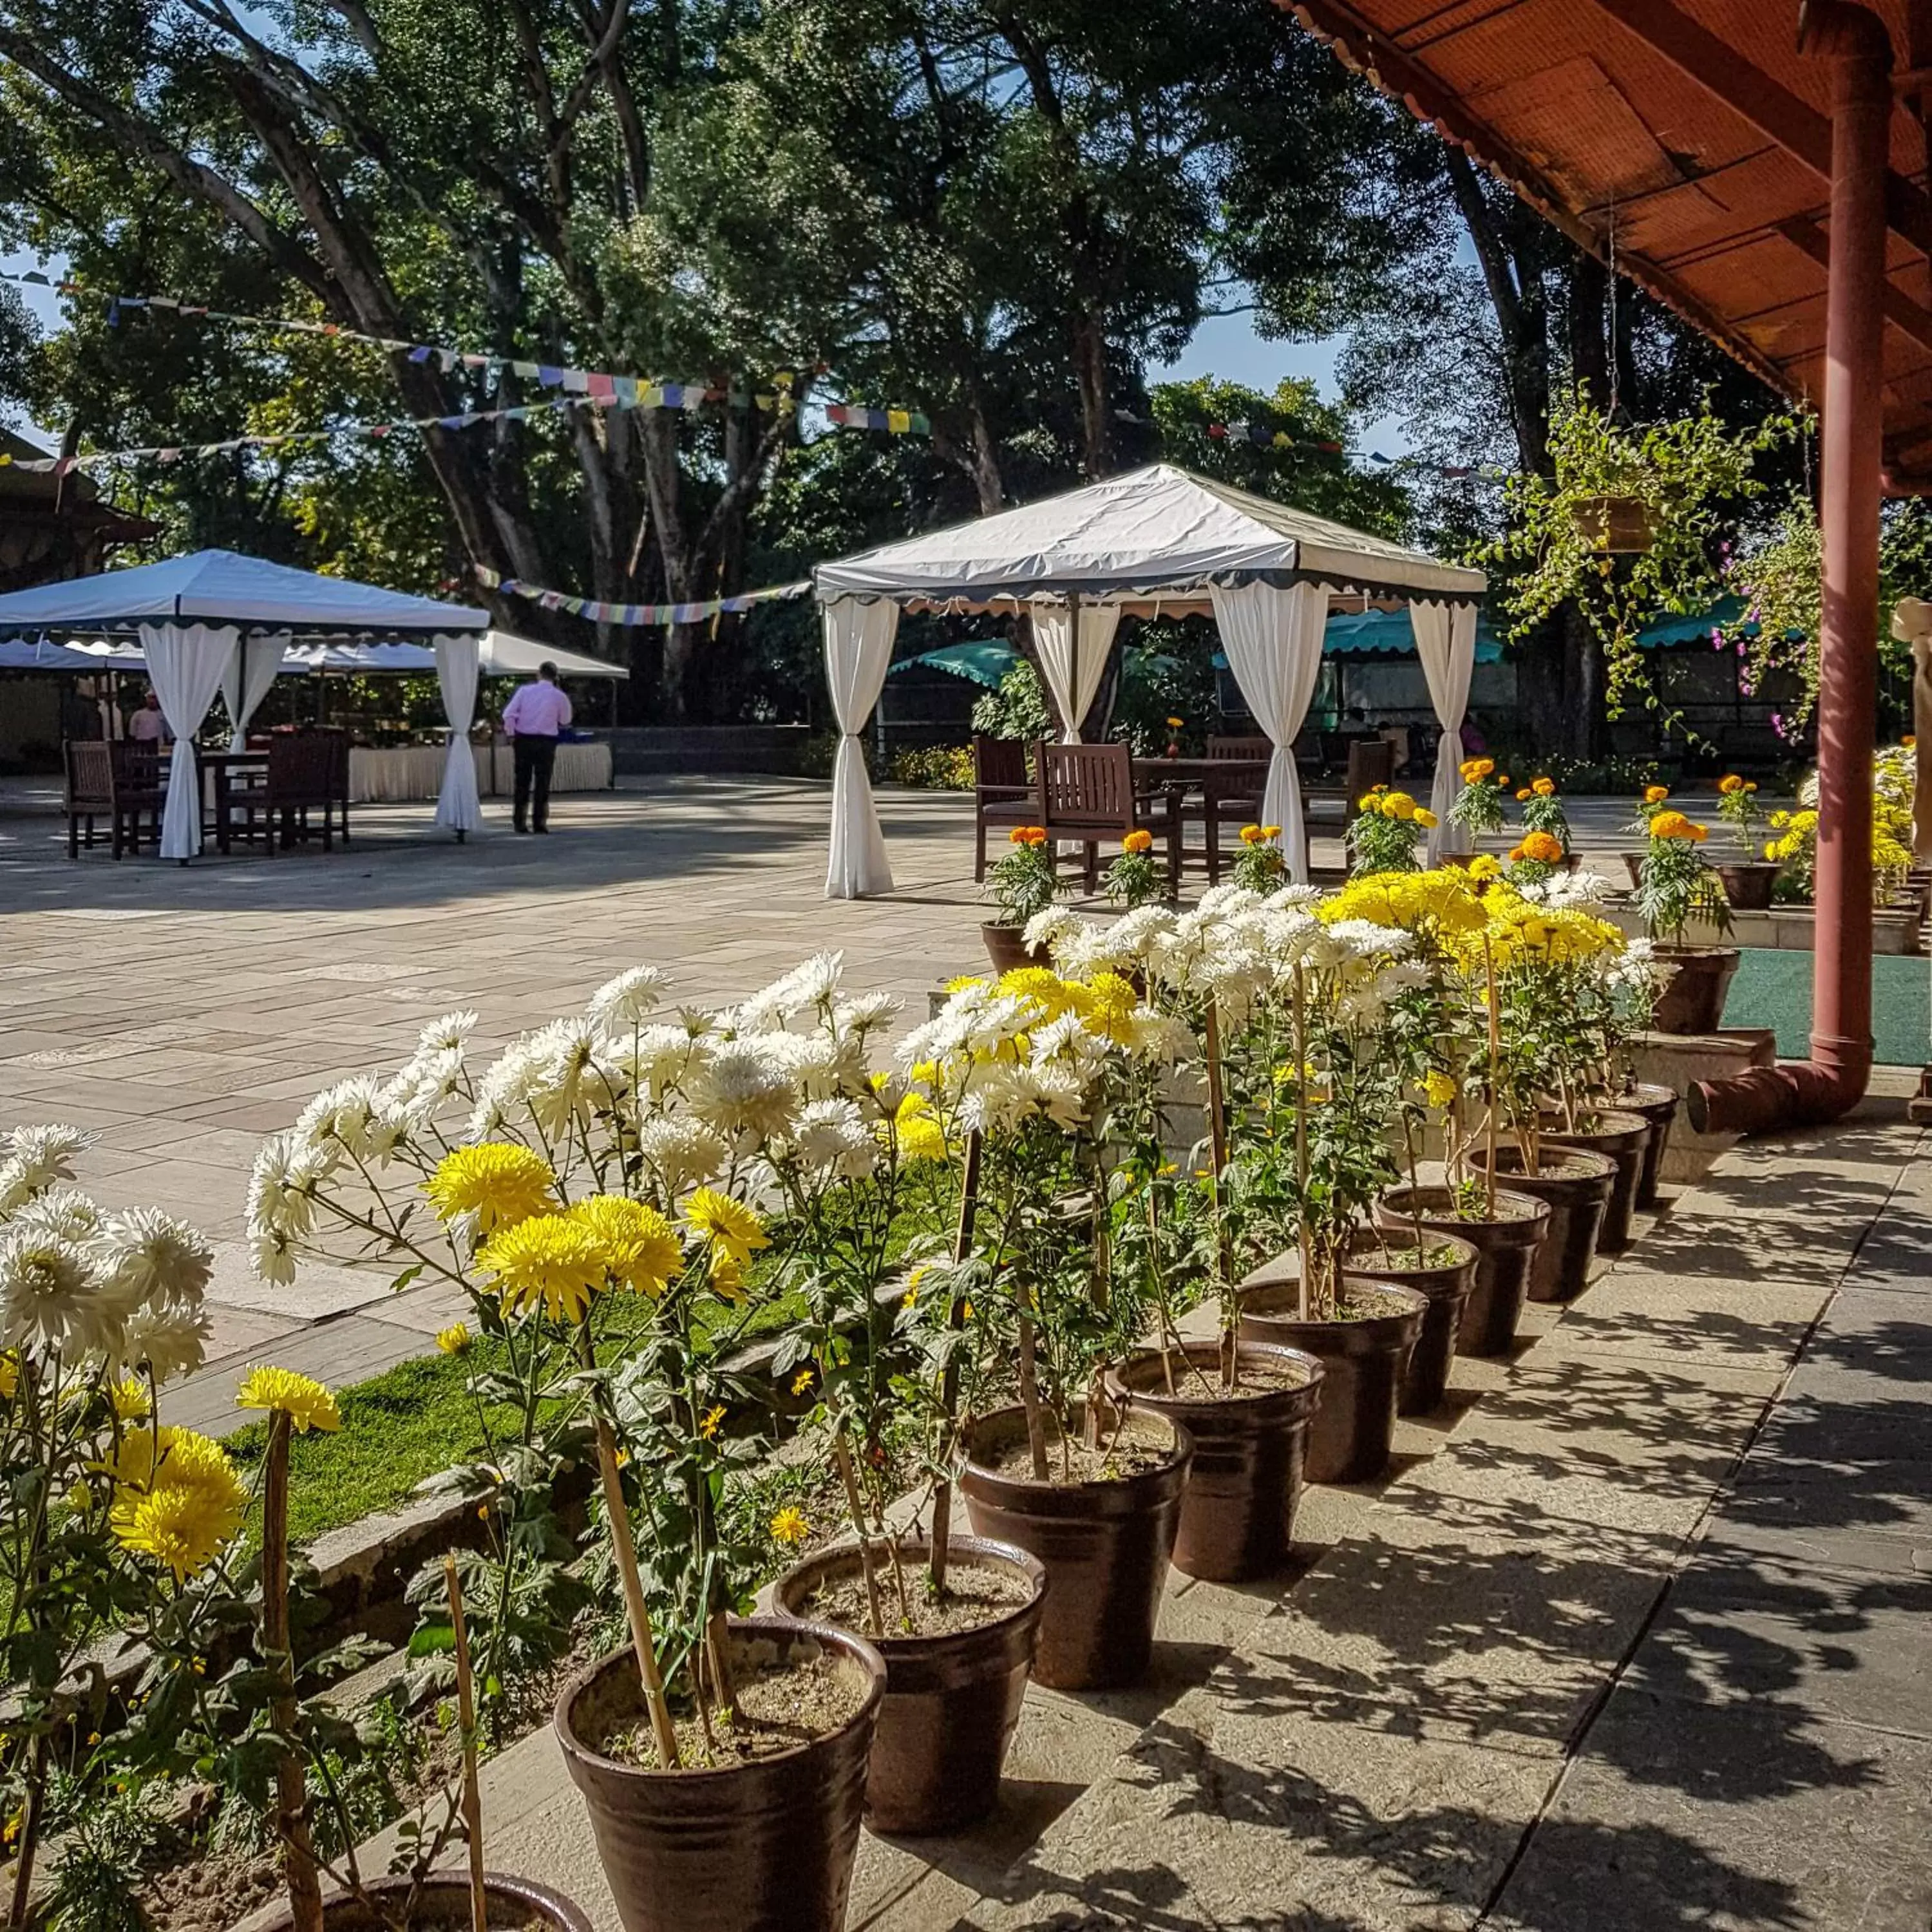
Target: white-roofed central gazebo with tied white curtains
{"points": [[1156, 540]]}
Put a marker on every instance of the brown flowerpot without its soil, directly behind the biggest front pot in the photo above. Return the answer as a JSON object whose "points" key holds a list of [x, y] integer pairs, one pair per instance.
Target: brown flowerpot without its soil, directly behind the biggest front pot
{"points": [[952, 1703]]}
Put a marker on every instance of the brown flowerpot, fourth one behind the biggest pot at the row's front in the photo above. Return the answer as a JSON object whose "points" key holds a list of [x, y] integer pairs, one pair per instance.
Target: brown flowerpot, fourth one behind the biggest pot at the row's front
{"points": [[1363, 1367]]}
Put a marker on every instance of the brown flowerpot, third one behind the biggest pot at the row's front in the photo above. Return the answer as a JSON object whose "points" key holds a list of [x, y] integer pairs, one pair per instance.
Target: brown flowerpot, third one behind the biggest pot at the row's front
{"points": [[1247, 1475]]}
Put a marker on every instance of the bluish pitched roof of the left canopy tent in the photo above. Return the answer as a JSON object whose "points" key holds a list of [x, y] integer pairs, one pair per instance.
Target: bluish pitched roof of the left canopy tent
{"points": [[223, 588]]}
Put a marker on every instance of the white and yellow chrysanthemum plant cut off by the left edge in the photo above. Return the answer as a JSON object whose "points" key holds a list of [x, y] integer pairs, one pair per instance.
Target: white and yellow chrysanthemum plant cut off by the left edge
{"points": [[98, 1311]]}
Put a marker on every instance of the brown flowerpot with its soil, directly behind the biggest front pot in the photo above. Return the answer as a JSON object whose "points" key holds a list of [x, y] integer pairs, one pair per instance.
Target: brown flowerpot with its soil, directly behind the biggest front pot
{"points": [[955, 1670]]}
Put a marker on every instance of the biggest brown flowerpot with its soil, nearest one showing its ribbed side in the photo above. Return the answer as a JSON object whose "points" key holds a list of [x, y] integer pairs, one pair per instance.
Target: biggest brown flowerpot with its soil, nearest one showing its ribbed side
{"points": [[764, 1840]]}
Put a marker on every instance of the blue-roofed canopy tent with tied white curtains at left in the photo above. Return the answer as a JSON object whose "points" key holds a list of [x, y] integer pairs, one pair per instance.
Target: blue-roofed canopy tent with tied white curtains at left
{"points": [[204, 621]]}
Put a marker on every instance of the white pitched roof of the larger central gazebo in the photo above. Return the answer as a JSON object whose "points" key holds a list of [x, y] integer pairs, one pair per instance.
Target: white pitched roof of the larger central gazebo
{"points": [[1156, 532]]}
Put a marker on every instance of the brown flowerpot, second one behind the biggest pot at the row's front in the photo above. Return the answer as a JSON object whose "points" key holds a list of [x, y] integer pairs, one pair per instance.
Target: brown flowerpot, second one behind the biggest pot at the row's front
{"points": [[1104, 1548]]}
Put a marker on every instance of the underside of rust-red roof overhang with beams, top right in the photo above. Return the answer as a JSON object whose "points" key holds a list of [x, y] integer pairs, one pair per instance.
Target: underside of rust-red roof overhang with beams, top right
{"points": [[1699, 136]]}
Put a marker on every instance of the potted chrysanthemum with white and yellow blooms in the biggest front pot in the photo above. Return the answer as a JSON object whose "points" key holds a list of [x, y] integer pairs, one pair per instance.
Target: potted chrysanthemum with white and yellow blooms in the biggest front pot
{"points": [[596, 1201]]}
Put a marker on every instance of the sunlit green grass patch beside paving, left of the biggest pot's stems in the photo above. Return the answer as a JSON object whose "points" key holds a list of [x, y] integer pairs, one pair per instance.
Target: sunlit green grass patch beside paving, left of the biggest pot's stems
{"points": [[399, 1429]]}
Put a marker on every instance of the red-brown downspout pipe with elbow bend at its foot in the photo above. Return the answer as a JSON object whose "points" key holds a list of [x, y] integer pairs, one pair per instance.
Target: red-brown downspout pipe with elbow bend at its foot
{"points": [[1840, 1067]]}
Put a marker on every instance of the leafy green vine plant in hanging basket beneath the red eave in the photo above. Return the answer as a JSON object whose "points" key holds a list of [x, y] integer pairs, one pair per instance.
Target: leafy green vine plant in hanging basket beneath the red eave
{"points": [[1630, 526]]}
